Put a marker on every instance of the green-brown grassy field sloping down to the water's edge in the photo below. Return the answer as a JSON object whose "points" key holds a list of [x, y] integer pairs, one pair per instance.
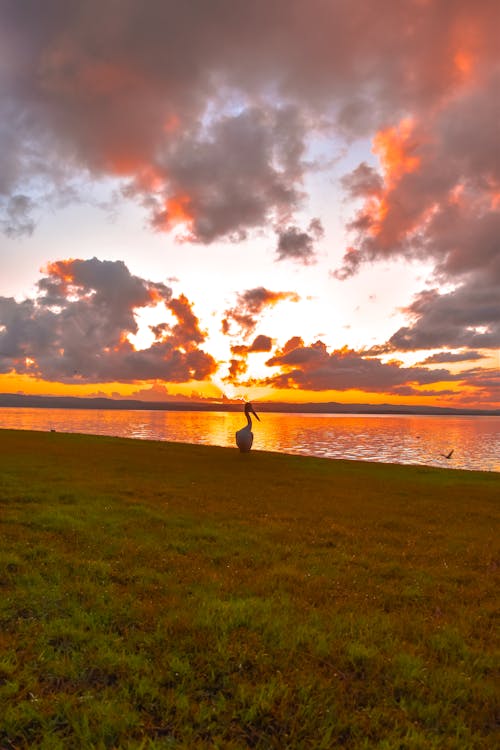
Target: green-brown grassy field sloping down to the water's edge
{"points": [[159, 595]]}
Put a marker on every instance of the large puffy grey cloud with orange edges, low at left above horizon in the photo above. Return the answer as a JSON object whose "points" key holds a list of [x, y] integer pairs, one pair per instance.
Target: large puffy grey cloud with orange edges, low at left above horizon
{"points": [[76, 329]]}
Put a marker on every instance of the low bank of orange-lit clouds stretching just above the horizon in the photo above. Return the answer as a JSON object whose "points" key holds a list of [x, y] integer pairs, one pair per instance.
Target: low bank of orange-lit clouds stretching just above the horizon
{"points": [[77, 329]]}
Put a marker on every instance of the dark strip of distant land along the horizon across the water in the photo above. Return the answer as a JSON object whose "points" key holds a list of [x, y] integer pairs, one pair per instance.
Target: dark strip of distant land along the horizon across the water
{"points": [[74, 402]]}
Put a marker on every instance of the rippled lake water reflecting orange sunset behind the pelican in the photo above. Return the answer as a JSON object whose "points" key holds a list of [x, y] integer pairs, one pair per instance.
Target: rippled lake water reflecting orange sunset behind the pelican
{"points": [[387, 438]]}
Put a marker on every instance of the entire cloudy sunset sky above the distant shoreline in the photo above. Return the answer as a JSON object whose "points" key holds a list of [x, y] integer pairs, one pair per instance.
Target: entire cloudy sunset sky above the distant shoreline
{"points": [[276, 200]]}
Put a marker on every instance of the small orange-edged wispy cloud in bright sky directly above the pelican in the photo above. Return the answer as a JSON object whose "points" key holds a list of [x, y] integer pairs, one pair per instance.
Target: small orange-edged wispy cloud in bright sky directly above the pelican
{"points": [[249, 308]]}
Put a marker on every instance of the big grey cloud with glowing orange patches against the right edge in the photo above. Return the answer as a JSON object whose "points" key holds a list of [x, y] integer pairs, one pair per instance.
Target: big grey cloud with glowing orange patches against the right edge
{"points": [[436, 199]]}
